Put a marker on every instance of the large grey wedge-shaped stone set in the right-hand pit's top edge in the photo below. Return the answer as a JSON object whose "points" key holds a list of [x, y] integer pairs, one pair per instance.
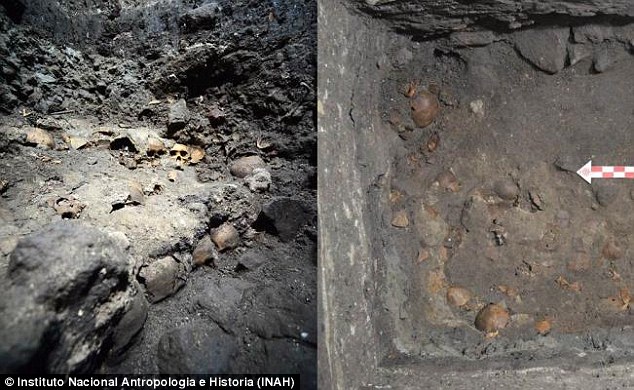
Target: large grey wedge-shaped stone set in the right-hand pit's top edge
{"points": [[544, 48]]}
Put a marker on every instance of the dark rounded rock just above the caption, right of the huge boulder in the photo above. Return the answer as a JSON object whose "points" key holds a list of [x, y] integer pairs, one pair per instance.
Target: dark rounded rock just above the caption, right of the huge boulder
{"points": [[196, 348]]}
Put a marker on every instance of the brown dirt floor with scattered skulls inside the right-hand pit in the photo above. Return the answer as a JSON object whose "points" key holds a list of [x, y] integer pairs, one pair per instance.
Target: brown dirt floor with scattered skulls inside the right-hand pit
{"points": [[486, 206]]}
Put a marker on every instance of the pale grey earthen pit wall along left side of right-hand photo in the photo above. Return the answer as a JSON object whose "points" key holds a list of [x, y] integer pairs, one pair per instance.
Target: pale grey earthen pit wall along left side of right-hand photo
{"points": [[352, 153]]}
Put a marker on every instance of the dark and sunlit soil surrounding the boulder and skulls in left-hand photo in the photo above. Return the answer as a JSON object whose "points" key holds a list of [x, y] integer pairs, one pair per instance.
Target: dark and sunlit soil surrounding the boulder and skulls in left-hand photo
{"points": [[102, 84]]}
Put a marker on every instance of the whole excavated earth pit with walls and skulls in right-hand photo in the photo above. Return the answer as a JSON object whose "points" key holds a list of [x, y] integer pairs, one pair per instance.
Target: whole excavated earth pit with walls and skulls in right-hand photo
{"points": [[476, 245]]}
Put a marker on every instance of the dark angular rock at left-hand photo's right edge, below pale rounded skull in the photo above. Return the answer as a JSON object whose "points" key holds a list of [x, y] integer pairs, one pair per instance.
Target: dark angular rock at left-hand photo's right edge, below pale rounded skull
{"points": [[285, 215]]}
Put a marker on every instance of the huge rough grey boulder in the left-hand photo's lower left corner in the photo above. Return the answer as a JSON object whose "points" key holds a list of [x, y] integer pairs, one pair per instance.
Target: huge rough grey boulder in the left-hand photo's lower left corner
{"points": [[69, 286]]}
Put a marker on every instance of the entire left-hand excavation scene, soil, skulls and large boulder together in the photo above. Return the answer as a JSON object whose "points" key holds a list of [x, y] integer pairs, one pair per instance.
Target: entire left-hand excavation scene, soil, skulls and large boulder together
{"points": [[158, 187]]}
